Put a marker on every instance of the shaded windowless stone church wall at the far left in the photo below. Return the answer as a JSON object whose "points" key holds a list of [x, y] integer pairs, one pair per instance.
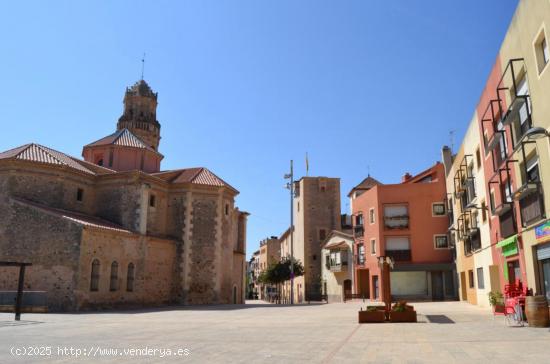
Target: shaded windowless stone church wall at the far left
{"points": [[50, 243]]}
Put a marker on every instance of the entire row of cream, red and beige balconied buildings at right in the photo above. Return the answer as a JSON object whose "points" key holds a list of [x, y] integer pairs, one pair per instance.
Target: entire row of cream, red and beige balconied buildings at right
{"points": [[513, 121]]}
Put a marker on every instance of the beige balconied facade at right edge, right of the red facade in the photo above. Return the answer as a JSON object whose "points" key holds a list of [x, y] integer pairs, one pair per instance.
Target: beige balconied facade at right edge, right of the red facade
{"points": [[527, 83]]}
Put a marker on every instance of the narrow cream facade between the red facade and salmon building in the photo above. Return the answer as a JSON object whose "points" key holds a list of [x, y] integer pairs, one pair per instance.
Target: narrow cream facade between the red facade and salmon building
{"points": [[468, 213]]}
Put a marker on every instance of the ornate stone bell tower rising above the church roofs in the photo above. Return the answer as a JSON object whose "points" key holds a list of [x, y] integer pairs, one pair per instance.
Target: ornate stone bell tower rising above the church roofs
{"points": [[140, 114]]}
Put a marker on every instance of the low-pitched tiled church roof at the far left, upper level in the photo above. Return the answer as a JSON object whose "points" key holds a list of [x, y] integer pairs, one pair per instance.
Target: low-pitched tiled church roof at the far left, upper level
{"points": [[40, 154]]}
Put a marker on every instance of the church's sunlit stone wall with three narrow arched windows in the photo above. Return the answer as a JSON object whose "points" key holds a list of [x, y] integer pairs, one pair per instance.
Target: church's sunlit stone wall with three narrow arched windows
{"points": [[154, 263]]}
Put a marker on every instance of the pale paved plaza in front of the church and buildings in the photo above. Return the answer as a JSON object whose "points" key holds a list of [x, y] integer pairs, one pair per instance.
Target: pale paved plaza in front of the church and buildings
{"points": [[447, 332]]}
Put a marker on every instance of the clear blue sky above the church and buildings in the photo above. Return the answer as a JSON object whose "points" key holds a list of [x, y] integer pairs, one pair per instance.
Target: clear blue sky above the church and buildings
{"points": [[245, 86]]}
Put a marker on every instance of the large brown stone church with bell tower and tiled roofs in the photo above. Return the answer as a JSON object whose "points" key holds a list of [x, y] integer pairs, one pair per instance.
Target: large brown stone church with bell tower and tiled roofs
{"points": [[113, 229]]}
